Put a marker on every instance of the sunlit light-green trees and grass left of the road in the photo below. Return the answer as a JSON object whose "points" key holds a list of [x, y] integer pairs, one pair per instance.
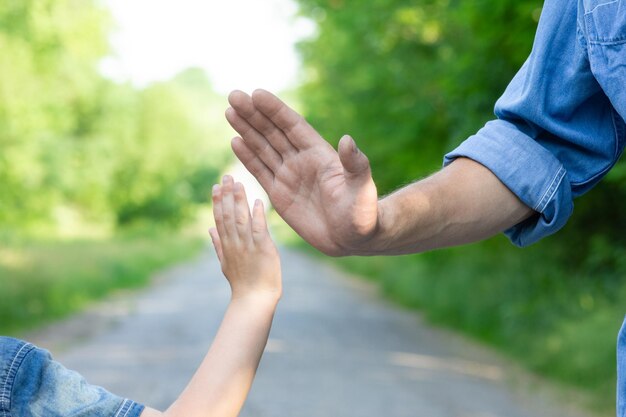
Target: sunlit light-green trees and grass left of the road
{"points": [[97, 178]]}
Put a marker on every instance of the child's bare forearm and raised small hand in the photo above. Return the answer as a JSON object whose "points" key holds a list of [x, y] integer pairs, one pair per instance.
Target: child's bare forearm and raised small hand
{"points": [[251, 264]]}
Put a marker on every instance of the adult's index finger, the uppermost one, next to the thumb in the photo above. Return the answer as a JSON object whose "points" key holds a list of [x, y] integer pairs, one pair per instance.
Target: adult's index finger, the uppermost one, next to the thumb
{"points": [[296, 129]]}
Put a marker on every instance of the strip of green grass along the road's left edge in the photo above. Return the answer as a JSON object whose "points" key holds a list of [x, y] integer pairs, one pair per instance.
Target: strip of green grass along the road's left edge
{"points": [[42, 281]]}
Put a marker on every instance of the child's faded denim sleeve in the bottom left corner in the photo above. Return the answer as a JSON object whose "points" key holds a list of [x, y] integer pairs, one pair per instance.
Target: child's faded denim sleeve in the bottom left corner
{"points": [[33, 385]]}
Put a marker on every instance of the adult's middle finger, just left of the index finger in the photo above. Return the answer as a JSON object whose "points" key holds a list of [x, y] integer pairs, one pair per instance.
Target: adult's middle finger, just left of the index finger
{"points": [[242, 104]]}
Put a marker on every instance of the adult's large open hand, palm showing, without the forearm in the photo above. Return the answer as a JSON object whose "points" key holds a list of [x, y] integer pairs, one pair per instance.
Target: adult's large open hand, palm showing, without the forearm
{"points": [[327, 197]]}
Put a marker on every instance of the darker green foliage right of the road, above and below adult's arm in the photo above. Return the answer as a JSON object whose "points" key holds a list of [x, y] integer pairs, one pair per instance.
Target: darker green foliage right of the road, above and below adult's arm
{"points": [[410, 79]]}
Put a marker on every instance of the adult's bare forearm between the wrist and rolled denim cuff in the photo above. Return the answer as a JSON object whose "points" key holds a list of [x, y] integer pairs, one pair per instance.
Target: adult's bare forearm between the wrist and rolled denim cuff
{"points": [[462, 203]]}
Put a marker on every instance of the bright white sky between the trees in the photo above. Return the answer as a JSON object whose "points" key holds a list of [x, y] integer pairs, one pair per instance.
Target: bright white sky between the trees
{"points": [[241, 44]]}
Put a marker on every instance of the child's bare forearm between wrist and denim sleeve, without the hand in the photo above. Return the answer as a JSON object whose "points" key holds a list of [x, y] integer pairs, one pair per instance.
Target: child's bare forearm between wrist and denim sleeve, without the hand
{"points": [[220, 385]]}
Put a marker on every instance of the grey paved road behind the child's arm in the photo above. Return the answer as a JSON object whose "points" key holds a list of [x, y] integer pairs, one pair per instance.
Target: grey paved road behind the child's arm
{"points": [[336, 350]]}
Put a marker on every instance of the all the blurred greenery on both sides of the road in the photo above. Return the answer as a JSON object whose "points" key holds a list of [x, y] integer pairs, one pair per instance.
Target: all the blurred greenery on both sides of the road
{"points": [[101, 180]]}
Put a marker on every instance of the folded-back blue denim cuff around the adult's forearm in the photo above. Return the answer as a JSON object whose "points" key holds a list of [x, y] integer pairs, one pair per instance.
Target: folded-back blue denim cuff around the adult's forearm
{"points": [[529, 170]]}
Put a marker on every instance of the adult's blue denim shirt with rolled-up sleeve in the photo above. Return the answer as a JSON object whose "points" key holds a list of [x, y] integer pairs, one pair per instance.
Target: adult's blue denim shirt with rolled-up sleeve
{"points": [[560, 123]]}
